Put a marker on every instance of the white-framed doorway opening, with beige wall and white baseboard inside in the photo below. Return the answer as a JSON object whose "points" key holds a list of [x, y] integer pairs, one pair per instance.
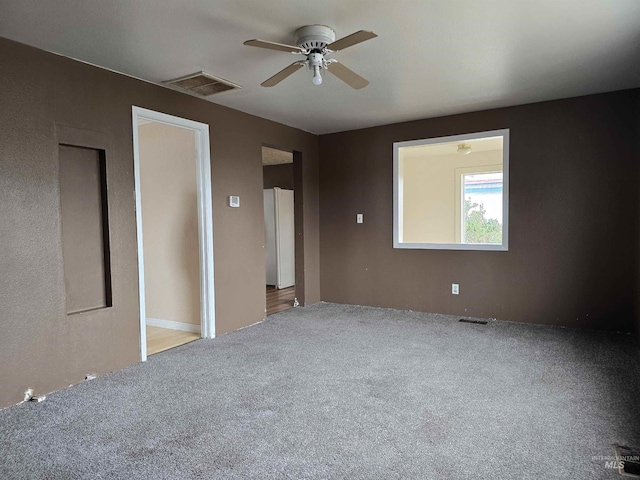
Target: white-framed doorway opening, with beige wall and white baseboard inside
{"points": [[174, 230]]}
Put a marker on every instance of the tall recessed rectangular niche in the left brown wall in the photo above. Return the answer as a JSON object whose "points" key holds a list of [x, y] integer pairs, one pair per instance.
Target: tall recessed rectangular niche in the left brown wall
{"points": [[85, 244]]}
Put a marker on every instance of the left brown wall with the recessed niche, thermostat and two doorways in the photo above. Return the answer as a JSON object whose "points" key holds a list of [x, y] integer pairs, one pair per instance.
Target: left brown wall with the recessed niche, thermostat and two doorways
{"points": [[42, 95]]}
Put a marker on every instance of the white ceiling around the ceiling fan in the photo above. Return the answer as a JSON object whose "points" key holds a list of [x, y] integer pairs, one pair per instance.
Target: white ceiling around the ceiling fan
{"points": [[431, 57]]}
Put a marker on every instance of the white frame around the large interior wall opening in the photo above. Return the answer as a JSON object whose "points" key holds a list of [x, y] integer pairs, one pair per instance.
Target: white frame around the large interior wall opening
{"points": [[398, 193]]}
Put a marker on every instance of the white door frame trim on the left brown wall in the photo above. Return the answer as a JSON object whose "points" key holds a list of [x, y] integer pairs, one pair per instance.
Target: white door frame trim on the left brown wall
{"points": [[205, 220]]}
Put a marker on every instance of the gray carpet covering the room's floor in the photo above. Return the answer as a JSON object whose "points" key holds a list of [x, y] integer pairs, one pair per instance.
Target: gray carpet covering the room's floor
{"points": [[334, 391]]}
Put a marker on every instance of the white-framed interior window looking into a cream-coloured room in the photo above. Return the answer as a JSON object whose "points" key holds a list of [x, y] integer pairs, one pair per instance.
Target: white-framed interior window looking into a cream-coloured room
{"points": [[452, 192]]}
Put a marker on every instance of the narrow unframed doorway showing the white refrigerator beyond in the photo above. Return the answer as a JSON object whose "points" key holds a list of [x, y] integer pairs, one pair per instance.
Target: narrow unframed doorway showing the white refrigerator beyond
{"points": [[280, 229]]}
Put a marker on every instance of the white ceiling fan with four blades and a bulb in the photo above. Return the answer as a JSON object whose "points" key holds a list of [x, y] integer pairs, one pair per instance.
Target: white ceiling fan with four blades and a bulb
{"points": [[315, 42]]}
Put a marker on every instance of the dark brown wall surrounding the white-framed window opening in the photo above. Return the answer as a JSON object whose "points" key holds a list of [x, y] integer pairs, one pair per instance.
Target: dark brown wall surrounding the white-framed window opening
{"points": [[573, 240]]}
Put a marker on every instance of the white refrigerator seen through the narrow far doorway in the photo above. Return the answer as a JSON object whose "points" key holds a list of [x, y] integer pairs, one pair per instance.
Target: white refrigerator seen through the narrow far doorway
{"points": [[279, 248]]}
